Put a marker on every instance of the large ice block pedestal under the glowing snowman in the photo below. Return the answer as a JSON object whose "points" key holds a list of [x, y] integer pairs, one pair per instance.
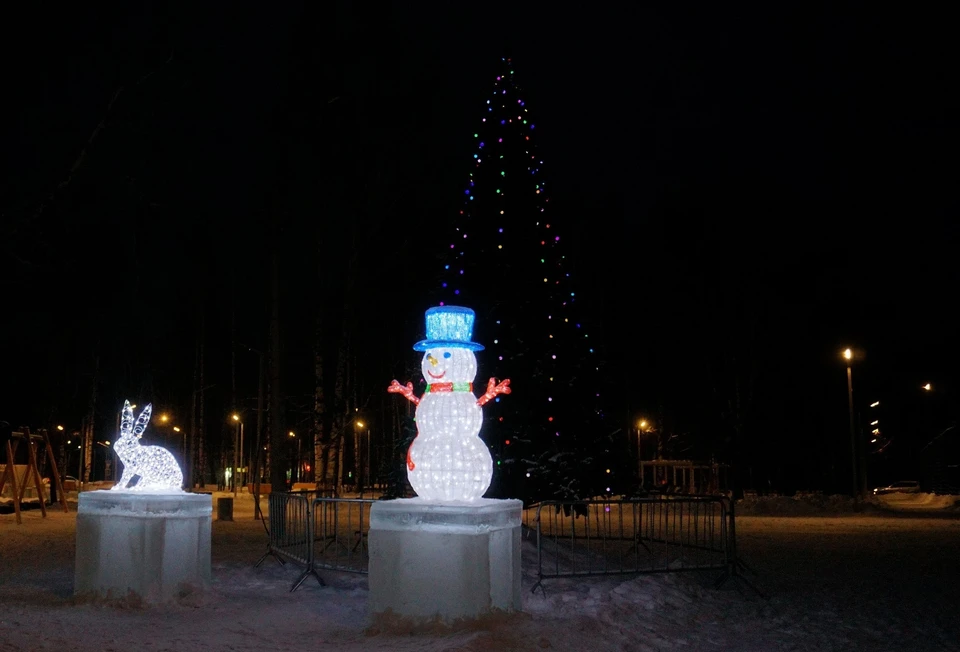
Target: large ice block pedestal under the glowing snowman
{"points": [[446, 561]]}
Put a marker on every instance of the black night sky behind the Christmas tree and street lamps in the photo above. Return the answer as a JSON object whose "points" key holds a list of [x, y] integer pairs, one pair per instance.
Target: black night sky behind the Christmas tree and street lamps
{"points": [[750, 191]]}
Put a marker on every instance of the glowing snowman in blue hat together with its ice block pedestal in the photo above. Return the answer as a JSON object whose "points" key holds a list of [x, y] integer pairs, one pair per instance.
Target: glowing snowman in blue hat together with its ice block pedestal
{"points": [[448, 554]]}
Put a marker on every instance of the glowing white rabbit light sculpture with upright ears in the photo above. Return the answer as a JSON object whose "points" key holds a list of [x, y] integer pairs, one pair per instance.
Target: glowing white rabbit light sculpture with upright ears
{"points": [[156, 467]]}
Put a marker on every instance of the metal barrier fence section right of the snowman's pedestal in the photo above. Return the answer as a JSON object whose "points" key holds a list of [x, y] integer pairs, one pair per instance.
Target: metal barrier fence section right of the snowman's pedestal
{"points": [[646, 535]]}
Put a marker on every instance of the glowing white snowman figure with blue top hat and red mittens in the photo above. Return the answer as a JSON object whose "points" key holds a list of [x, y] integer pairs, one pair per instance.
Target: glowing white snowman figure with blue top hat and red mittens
{"points": [[448, 460]]}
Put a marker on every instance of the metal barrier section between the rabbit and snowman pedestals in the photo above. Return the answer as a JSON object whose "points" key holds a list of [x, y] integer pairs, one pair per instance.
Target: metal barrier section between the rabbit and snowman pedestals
{"points": [[318, 533]]}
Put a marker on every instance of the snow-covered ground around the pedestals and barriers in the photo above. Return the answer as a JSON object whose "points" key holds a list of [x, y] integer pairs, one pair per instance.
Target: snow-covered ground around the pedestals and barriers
{"points": [[836, 577]]}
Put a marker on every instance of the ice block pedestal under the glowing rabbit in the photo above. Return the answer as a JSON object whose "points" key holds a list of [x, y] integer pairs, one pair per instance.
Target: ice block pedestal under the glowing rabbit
{"points": [[152, 545]]}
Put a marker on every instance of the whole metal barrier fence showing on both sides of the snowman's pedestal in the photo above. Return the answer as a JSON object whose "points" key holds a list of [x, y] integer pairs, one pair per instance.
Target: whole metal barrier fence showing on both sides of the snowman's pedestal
{"points": [[579, 538]]}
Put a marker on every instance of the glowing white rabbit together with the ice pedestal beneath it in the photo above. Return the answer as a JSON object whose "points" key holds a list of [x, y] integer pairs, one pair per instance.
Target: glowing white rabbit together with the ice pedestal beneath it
{"points": [[151, 539]]}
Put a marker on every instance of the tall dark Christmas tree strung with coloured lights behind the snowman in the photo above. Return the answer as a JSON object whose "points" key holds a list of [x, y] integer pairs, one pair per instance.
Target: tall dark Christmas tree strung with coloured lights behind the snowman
{"points": [[506, 258]]}
